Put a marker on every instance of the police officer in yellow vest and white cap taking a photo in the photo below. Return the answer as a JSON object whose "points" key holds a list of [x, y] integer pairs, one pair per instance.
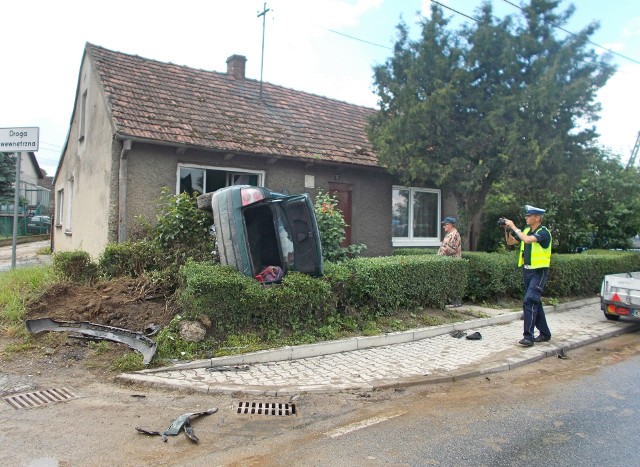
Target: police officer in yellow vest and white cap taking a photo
{"points": [[534, 258]]}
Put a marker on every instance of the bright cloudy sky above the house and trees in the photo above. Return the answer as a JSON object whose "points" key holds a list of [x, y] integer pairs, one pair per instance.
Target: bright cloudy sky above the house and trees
{"points": [[307, 47]]}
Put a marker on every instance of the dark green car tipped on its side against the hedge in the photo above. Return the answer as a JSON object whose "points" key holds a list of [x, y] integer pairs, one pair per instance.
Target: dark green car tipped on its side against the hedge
{"points": [[265, 234]]}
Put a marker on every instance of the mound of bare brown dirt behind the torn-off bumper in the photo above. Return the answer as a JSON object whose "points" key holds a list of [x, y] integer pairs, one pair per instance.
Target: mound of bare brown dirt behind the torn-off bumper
{"points": [[121, 303]]}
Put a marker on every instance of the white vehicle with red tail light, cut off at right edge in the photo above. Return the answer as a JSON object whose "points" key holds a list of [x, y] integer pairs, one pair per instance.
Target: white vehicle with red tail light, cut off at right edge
{"points": [[620, 295]]}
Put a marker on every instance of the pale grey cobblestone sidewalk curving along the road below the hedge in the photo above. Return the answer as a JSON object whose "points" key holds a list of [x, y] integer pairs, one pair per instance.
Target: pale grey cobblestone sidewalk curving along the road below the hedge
{"points": [[429, 360]]}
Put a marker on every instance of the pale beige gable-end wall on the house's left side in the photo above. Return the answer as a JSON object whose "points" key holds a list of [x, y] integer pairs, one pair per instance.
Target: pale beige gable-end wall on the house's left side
{"points": [[84, 174]]}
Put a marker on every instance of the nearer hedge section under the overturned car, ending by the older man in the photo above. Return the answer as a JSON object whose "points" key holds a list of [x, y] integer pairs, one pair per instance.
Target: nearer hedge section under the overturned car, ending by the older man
{"points": [[362, 288]]}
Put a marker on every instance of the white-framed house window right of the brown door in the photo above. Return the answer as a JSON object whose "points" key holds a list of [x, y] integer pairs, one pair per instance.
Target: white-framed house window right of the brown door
{"points": [[415, 216]]}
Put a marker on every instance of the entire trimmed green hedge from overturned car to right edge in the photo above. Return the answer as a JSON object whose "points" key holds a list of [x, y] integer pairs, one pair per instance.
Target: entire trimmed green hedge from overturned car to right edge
{"points": [[365, 288]]}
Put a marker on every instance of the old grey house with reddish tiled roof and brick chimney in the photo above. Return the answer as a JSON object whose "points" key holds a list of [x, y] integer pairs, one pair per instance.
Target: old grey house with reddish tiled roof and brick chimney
{"points": [[139, 125]]}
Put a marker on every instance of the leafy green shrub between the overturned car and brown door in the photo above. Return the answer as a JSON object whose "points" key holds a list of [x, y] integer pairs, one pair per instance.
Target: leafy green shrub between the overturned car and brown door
{"points": [[331, 225]]}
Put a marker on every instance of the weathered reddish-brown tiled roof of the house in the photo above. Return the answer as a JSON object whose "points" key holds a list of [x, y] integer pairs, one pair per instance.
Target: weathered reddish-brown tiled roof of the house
{"points": [[177, 104]]}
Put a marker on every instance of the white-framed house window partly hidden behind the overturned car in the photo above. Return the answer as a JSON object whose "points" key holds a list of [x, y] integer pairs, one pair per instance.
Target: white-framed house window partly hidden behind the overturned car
{"points": [[207, 179]]}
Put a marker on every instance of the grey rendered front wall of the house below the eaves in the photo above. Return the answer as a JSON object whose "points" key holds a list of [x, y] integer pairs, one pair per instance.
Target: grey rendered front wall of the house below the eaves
{"points": [[152, 167]]}
